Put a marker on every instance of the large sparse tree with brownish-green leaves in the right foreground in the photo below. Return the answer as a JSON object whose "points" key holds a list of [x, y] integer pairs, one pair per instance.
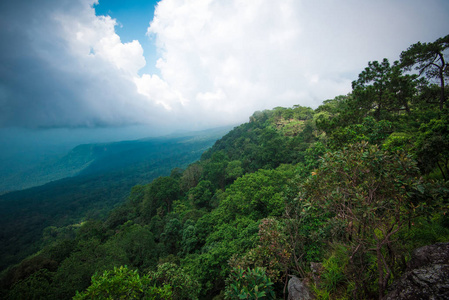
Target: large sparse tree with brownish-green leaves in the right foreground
{"points": [[369, 193]]}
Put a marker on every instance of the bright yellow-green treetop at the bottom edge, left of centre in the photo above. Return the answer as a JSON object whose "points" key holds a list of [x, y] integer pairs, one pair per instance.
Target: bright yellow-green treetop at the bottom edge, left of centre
{"points": [[123, 283]]}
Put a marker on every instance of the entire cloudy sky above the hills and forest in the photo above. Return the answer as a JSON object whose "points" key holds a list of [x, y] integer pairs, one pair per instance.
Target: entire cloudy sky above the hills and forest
{"points": [[192, 64]]}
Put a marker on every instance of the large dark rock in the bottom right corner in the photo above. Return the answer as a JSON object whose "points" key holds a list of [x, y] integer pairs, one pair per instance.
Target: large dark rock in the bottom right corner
{"points": [[426, 277]]}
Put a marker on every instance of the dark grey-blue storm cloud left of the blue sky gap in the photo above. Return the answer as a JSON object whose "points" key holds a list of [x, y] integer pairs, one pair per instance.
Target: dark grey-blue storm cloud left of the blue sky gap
{"points": [[66, 67]]}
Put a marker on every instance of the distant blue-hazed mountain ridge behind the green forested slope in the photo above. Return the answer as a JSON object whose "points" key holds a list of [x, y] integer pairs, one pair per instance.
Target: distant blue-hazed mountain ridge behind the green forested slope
{"points": [[99, 176]]}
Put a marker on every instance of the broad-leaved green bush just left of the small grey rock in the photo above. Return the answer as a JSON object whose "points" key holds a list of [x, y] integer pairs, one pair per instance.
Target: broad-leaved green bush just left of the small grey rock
{"points": [[249, 284]]}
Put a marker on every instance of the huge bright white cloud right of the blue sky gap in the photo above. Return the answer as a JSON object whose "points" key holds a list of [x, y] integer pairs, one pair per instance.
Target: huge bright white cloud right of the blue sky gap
{"points": [[230, 58]]}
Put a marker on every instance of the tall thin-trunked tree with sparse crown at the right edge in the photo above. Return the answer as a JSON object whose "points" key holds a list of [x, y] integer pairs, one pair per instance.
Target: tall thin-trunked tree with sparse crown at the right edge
{"points": [[429, 59]]}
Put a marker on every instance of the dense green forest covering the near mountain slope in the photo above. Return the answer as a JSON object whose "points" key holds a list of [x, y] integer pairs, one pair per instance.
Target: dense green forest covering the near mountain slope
{"points": [[354, 185]]}
